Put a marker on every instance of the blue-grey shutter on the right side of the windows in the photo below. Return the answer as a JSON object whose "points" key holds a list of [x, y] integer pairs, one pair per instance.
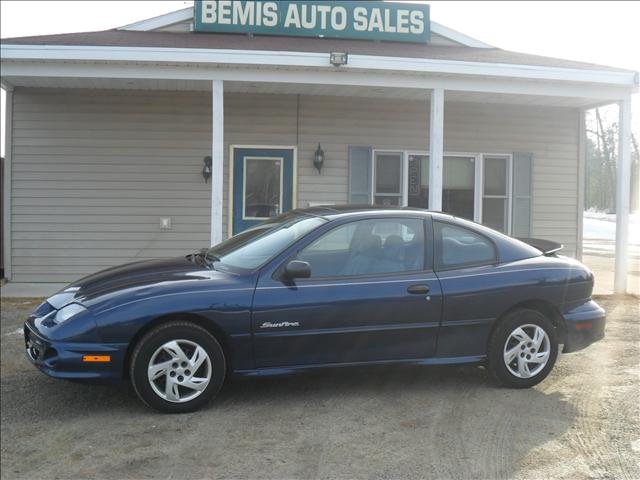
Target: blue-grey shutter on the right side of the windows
{"points": [[522, 194]]}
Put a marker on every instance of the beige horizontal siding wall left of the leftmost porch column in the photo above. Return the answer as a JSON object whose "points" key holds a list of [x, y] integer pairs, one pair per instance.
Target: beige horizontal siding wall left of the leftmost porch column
{"points": [[93, 173]]}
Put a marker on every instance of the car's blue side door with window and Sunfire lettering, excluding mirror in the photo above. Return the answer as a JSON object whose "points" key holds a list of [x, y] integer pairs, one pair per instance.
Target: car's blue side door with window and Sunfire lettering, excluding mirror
{"points": [[372, 296]]}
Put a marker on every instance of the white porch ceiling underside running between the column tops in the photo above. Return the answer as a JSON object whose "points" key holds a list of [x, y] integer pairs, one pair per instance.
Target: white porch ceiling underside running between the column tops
{"points": [[294, 89]]}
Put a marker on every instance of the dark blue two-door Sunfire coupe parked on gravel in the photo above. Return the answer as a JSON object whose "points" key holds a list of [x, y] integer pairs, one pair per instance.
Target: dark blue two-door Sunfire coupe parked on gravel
{"points": [[319, 287]]}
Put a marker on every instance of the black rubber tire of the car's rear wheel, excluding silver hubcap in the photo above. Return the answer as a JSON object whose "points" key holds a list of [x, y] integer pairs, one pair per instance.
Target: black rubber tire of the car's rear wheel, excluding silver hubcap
{"points": [[509, 323]]}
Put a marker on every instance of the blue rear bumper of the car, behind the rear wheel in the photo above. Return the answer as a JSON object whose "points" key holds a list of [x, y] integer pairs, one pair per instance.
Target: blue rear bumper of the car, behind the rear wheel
{"points": [[585, 325]]}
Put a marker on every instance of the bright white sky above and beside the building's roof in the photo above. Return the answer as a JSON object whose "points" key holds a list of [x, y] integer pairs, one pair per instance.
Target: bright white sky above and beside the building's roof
{"points": [[604, 33]]}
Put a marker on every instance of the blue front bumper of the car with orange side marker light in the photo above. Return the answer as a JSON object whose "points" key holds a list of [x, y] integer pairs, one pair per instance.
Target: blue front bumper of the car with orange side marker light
{"points": [[65, 359]]}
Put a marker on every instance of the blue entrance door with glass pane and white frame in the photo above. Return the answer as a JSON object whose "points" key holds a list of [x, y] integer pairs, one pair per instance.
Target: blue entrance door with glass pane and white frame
{"points": [[262, 185]]}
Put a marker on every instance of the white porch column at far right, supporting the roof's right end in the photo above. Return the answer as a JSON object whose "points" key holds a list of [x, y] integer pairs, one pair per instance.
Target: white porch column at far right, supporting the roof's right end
{"points": [[623, 191]]}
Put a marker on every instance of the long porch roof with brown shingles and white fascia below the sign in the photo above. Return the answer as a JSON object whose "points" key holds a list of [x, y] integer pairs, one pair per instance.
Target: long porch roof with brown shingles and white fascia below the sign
{"points": [[132, 59]]}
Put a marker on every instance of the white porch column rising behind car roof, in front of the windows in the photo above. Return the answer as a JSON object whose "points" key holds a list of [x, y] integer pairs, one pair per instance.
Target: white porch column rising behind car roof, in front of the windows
{"points": [[436, 148]]}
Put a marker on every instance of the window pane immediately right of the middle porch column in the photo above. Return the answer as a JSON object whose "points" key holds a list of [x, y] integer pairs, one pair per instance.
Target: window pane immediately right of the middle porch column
{"points": [[458, 186]]}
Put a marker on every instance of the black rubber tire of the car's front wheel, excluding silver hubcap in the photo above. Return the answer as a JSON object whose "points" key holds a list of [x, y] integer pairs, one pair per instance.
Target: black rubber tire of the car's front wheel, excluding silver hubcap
{"points": [[152, 341]]}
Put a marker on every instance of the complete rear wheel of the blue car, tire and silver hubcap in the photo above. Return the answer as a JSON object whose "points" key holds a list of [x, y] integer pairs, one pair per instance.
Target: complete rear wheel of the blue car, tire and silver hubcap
{"points": [[523, 349]]}
